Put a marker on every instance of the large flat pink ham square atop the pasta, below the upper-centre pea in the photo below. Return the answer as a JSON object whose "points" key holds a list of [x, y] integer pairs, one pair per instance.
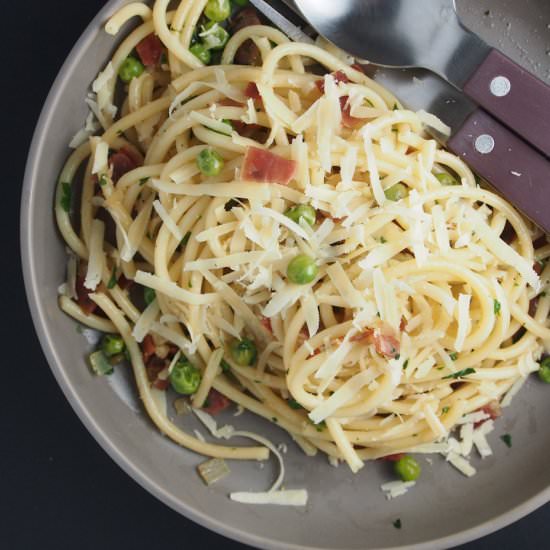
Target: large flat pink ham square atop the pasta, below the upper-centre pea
{"points": [[264, 167]]}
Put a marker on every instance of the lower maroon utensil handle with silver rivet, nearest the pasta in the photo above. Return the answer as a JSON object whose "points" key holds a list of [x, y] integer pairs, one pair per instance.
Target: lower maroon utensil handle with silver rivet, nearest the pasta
{"points": [[517, 171]]}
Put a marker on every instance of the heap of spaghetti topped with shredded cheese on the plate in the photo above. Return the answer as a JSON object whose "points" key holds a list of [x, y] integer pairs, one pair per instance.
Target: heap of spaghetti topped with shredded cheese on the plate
{"points": [[412, 315]]}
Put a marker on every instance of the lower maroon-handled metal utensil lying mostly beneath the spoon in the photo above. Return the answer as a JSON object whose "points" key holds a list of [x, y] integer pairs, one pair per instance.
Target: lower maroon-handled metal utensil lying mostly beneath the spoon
{"points": [[516, 170]]}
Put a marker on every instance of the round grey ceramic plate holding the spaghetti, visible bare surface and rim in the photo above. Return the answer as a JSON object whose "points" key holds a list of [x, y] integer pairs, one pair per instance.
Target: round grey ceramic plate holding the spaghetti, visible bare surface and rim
{"points": [[444, 509]]}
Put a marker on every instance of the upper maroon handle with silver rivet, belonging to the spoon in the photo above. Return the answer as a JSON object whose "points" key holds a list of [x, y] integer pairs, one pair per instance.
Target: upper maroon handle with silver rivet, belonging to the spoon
{"points": [[513, 96]]}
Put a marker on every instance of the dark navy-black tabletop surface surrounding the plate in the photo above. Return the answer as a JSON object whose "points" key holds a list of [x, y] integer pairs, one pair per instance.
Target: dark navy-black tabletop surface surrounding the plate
{"points": [[59, 489]]}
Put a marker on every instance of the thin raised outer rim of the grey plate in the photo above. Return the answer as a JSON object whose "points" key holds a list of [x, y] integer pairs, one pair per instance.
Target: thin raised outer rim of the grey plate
{"points": [[86, 415]]}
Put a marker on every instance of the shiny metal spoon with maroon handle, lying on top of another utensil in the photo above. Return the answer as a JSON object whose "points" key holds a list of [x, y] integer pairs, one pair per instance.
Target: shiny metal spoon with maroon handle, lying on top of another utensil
{"points": [[428, 34]]}
